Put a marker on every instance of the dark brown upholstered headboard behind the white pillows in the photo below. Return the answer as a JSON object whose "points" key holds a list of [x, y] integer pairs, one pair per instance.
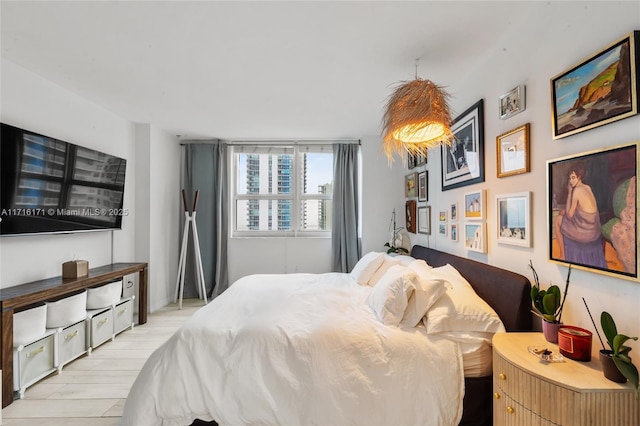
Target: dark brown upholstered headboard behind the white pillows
{"points": [[507, 292]]}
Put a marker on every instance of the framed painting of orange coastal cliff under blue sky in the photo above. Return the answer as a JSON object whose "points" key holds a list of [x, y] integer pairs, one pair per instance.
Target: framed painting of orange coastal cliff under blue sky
{"points": [[598, 90]]}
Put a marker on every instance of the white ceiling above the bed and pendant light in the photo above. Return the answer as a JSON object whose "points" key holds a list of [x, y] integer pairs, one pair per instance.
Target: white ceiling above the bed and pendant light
{"points": [[262, 69]]}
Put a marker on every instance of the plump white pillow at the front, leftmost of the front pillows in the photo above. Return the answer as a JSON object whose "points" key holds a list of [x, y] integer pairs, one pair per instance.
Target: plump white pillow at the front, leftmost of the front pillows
{"points": [[389, 297]]}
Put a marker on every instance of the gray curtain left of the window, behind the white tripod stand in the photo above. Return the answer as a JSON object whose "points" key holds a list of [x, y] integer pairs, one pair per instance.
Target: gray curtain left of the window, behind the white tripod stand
{"points": [[205, 170]]}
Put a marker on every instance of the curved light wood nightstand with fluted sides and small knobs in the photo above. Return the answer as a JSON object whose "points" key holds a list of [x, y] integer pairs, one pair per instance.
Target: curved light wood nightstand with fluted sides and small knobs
{"points": [[530, 392]]}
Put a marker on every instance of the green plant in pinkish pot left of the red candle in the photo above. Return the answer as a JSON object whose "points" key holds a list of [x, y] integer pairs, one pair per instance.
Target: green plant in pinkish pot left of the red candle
{"points": [[548, 304]]}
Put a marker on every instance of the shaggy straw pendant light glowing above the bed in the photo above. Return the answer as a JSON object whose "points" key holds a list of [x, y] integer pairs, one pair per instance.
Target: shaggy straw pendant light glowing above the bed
{"points": [[417, 117]]}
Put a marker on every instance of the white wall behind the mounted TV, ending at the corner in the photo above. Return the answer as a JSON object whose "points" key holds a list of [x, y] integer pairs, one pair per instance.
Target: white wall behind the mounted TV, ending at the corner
{"points": [[30, 102]]}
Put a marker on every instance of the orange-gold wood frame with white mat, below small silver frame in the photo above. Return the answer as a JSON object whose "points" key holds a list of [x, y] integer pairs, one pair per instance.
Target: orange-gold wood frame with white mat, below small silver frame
{"points": [[512, 152]]}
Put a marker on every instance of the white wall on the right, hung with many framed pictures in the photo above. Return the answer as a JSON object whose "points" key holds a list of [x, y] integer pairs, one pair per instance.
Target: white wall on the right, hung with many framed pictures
{"points": [[539, 47]]}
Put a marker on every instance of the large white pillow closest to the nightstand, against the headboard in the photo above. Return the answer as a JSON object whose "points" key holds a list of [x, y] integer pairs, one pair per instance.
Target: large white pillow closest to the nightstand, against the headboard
{"points": [[460, 308]]}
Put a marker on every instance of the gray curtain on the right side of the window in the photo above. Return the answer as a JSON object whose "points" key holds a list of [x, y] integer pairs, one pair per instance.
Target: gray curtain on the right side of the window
{"points": [[345, 242]]}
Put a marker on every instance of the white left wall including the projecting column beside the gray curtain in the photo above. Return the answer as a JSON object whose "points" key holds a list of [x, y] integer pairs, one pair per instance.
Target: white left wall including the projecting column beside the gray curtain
{"points": [[149, 230]]}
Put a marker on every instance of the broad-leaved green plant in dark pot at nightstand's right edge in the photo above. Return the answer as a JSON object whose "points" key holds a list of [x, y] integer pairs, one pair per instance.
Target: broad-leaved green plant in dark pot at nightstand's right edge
{"points": [[623, 368]]}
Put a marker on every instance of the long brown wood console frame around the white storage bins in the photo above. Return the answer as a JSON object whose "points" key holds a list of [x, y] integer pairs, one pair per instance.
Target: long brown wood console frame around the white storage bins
{"points": [[16, 298]]}
